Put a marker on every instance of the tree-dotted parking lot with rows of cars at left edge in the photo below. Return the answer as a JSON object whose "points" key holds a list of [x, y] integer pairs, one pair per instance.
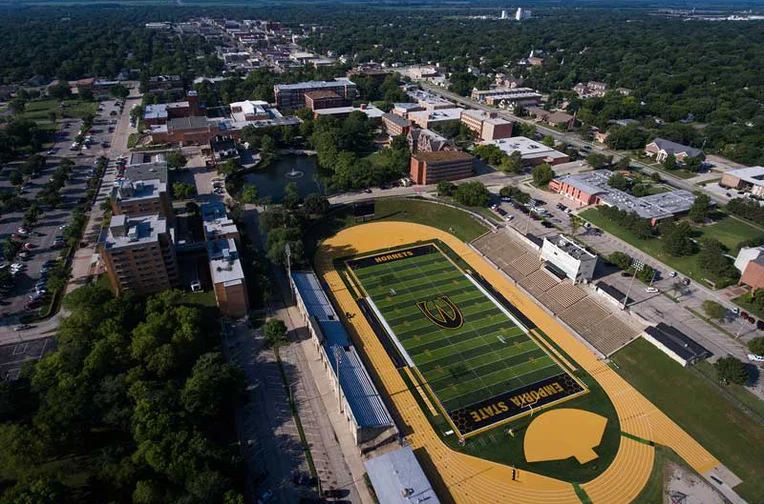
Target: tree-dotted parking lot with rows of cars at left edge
{"points": [[42, 237]]}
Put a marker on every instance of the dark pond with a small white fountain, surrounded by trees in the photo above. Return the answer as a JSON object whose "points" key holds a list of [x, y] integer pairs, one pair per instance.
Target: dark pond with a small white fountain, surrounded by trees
{"points": [[302, 170]]}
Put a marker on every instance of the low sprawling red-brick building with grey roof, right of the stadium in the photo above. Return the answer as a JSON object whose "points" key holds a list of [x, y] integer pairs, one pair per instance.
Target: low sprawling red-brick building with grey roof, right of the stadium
{"points": [[592, 188]]}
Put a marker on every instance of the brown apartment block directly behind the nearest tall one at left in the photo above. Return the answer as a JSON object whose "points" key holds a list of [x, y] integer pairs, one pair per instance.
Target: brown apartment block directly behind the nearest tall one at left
{"points": [[142, 197]]}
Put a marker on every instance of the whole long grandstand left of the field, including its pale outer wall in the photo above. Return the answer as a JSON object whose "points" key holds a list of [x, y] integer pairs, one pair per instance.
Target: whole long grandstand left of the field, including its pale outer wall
{"points": [[361, 404]]}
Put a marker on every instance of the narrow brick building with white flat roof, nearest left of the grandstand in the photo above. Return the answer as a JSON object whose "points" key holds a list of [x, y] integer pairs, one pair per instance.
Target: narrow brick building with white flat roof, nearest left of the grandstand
{"points": [[228, 279]]}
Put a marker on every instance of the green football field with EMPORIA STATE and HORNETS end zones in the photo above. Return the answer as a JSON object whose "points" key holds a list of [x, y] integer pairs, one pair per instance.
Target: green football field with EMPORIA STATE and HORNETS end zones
{"points": [[471, 352]]}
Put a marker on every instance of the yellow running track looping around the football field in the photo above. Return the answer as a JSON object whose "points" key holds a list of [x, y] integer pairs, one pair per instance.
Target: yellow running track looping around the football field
{"points": [[472, 480]]}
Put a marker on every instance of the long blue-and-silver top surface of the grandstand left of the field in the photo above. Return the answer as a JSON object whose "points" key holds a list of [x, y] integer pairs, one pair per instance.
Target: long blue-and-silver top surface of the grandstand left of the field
{"points": [[366, 405]]}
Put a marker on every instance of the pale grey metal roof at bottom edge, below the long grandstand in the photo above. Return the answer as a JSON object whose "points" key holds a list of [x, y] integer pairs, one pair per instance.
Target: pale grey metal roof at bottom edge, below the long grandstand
{"points": [[398, 478]]}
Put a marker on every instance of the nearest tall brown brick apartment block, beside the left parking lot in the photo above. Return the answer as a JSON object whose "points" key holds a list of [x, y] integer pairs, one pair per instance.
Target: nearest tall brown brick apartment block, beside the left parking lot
{"points": [[139, 255]]}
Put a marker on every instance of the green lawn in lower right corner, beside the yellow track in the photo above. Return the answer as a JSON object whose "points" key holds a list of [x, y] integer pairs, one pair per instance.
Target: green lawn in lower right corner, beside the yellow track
{"points": [[698, 406]]}
